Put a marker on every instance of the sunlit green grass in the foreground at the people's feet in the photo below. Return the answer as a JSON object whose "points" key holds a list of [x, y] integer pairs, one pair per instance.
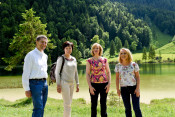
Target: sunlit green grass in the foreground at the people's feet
{"points": [[54, 108]]}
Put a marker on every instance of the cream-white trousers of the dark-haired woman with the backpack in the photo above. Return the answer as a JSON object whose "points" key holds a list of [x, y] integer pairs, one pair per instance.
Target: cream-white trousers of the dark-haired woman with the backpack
{"points": [[67, 94]]}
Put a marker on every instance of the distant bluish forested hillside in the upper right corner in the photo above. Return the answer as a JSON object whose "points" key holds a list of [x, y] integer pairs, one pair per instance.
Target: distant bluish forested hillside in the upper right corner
{"points": [[159, 12]]}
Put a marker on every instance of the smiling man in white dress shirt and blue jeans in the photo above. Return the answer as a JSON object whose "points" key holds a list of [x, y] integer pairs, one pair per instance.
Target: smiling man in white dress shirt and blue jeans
{"points": [[35, 74]]}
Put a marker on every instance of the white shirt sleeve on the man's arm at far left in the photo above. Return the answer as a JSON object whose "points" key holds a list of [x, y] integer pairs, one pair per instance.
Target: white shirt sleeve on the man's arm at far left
{"points": [[27, 68]]}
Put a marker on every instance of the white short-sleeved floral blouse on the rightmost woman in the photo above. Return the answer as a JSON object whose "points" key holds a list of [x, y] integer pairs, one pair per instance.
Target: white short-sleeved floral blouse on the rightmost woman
{"points": [[126, 74]]}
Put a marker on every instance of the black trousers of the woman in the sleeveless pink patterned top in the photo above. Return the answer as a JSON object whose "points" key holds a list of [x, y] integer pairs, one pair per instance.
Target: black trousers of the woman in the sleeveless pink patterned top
{"points": [[100, 89]]}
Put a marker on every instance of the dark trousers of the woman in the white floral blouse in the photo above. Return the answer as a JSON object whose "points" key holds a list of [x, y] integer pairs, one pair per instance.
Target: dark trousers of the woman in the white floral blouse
{"points": [[125, 93]]}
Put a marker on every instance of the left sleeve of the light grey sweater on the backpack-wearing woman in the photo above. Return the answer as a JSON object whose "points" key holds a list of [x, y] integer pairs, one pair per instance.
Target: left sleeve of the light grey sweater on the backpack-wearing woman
{"points": [[57, 70]]}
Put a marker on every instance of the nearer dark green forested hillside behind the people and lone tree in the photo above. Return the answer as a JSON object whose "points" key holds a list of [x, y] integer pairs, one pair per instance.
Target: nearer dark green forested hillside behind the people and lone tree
{"points": [[78, 20]]}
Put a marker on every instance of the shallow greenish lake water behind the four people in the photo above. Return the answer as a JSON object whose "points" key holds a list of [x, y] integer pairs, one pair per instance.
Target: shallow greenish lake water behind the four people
{"points": [[157, 82]]}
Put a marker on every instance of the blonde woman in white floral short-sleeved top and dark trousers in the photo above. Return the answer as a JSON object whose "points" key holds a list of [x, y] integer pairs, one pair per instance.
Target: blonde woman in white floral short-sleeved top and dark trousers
{"points": [[127, 76]]}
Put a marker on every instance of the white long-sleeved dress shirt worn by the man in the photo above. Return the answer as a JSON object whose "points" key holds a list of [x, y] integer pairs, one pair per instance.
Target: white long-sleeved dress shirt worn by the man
{"points": [[35, 67]]}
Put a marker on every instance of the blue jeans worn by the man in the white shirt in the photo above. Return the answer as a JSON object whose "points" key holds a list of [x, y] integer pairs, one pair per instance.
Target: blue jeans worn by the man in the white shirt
{"points": [[39, 90]]}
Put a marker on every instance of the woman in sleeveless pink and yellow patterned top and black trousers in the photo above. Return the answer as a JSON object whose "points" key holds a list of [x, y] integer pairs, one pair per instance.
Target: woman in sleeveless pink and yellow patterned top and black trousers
{"points": [[98, 76]]}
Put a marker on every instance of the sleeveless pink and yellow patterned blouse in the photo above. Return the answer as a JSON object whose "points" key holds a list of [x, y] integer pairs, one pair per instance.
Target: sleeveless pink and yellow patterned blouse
{"points": [[97, 69]]}
